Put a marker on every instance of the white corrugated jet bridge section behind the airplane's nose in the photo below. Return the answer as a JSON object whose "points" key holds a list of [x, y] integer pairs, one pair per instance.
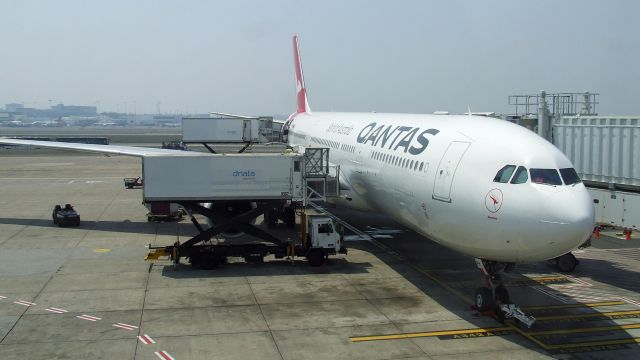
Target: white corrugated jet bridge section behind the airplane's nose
{"points": [[603, 149]]}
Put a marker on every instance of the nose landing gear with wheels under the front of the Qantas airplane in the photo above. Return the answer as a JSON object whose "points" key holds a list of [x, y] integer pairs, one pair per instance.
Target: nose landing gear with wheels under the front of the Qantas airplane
{"points": [[494, 297]]}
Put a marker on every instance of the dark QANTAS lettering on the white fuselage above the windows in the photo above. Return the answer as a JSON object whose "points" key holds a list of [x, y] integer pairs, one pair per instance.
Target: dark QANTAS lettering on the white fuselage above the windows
{"points": [[408, 139]]}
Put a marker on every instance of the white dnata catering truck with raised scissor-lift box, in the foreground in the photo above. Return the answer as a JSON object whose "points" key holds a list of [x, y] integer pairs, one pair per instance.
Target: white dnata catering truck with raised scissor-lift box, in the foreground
{"points": [[232, 190]]}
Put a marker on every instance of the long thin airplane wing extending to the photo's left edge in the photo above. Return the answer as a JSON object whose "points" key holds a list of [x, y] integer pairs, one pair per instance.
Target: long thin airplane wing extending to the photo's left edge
{"points": [[104, 149]]}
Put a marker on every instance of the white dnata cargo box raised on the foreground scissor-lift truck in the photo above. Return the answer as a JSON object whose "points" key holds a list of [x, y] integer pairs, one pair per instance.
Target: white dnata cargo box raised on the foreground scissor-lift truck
{"points": [[211, 177]]}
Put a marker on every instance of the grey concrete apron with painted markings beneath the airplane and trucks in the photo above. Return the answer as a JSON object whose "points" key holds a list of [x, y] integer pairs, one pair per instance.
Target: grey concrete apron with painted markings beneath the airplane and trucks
{"points": [[86, 292]]}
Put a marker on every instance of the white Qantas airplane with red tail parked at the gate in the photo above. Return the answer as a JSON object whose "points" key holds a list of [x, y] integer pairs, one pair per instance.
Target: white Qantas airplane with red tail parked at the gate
{"points": [[481, 186]]}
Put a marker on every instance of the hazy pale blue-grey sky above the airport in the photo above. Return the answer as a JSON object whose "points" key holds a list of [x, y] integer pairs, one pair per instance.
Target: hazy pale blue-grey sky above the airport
{"points": [[385, 56]]}
